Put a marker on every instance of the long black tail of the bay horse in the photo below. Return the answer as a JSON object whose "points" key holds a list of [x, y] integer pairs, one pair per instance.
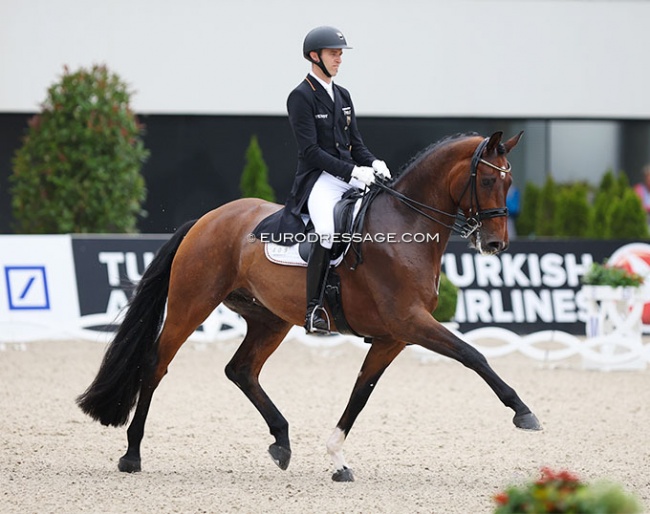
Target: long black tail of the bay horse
{"points": [[114, 392]]}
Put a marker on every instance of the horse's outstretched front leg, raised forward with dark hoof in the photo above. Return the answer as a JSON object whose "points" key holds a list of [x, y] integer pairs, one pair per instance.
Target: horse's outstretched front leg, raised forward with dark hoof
{"points": [[433, 336]]}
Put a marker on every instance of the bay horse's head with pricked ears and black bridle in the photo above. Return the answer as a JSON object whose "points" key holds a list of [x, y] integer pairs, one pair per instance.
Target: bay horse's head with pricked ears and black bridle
{"points": [[481, 193]]}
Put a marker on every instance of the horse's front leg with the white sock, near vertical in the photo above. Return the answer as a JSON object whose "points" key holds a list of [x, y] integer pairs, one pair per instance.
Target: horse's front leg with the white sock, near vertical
{"points": [[380, 355]]}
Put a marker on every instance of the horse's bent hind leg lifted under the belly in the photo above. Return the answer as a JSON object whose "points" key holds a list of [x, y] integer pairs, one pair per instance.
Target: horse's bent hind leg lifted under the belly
{"points": [[264, 335]]}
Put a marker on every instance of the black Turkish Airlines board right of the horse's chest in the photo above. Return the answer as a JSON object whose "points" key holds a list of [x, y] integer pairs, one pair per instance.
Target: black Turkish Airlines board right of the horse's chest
{"points": [[534, 285]]}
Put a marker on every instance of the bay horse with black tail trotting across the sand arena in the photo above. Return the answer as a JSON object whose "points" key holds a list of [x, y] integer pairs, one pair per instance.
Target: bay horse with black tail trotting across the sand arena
{"points": [[388, 298]]}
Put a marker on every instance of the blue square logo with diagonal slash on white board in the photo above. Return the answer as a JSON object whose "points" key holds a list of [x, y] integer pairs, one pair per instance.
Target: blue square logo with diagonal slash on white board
{"points": [[27, 288]]}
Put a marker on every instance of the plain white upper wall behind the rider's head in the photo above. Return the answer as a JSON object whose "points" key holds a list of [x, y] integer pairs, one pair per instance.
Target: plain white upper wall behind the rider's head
{"points": [[528, 58]]}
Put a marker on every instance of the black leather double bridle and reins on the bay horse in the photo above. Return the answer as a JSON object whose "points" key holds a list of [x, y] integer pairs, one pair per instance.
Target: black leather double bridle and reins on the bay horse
{"points": [[471, 223]]}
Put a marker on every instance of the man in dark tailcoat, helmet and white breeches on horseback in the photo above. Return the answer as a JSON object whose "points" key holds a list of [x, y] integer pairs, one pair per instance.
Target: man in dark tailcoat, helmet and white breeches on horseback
{"points": [[332, 157]]}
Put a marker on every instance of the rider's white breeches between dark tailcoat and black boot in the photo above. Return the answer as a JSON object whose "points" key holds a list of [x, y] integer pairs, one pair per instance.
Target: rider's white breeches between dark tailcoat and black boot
{"points": [[326, 192]]}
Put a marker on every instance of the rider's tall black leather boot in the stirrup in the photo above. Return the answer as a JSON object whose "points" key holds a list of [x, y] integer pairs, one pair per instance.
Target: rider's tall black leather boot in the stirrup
{"points": [[317, 267]]}
